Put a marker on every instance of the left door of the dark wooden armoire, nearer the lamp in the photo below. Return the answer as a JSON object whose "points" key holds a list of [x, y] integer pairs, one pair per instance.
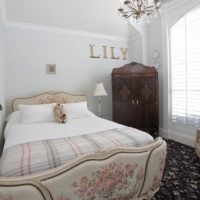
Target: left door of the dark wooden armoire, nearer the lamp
{"points": [[122, 100]]}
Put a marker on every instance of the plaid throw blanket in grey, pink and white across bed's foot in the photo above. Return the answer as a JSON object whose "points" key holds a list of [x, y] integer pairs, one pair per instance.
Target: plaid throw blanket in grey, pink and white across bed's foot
{"points": [[34, 157]]}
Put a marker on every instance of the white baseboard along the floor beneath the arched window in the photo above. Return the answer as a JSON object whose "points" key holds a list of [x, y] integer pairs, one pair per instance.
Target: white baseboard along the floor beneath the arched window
{"points": [[181, 137]]}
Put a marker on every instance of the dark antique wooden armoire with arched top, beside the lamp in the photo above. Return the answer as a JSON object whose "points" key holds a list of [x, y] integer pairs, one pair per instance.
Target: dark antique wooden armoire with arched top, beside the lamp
{"points": [[135, 97]]}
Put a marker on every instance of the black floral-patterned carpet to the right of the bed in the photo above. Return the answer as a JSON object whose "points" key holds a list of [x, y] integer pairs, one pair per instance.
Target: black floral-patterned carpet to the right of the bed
{"points": [[181, 180]]}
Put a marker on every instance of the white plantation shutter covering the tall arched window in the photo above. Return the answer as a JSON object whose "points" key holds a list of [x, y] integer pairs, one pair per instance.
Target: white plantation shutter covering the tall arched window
{"points": [[185, 70]]}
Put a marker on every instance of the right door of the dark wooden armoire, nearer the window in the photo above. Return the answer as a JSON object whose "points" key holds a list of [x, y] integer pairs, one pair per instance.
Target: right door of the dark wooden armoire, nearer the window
{"points": [[146, 103]]}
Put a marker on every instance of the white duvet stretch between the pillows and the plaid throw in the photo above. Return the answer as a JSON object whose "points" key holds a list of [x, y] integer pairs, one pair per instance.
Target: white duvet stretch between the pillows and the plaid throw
{"points": [[17, 133]]}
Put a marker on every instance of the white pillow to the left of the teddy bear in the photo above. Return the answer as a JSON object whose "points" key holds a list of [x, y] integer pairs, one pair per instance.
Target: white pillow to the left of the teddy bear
{"points": [[37, 113]]}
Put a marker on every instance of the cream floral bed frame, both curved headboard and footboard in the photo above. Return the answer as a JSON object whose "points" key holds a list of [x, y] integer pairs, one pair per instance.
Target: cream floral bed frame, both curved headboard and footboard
{"points": [[120, 173]]}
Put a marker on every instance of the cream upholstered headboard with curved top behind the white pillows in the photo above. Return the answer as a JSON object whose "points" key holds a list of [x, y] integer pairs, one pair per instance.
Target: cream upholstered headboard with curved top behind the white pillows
{"points": [[48, 97]]}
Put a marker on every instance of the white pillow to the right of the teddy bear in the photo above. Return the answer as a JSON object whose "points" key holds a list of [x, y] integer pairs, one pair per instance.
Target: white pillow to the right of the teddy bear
{"points": [[77, 110]]}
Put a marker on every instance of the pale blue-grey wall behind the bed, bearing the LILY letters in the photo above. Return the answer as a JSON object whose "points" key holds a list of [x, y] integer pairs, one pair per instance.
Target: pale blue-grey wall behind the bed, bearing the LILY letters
{"points": [[28, 51]]}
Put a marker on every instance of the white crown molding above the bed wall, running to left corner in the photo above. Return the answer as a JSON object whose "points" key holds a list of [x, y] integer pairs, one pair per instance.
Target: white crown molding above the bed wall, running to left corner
{"points": [[34, 27]]}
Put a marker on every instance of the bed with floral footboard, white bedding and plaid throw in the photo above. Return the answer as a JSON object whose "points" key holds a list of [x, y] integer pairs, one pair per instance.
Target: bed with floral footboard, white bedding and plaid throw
{"points": [[87, 158]]}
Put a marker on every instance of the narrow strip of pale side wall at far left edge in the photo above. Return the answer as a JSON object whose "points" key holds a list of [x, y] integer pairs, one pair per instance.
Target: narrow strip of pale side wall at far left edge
{"points": [[2, 74]]}
